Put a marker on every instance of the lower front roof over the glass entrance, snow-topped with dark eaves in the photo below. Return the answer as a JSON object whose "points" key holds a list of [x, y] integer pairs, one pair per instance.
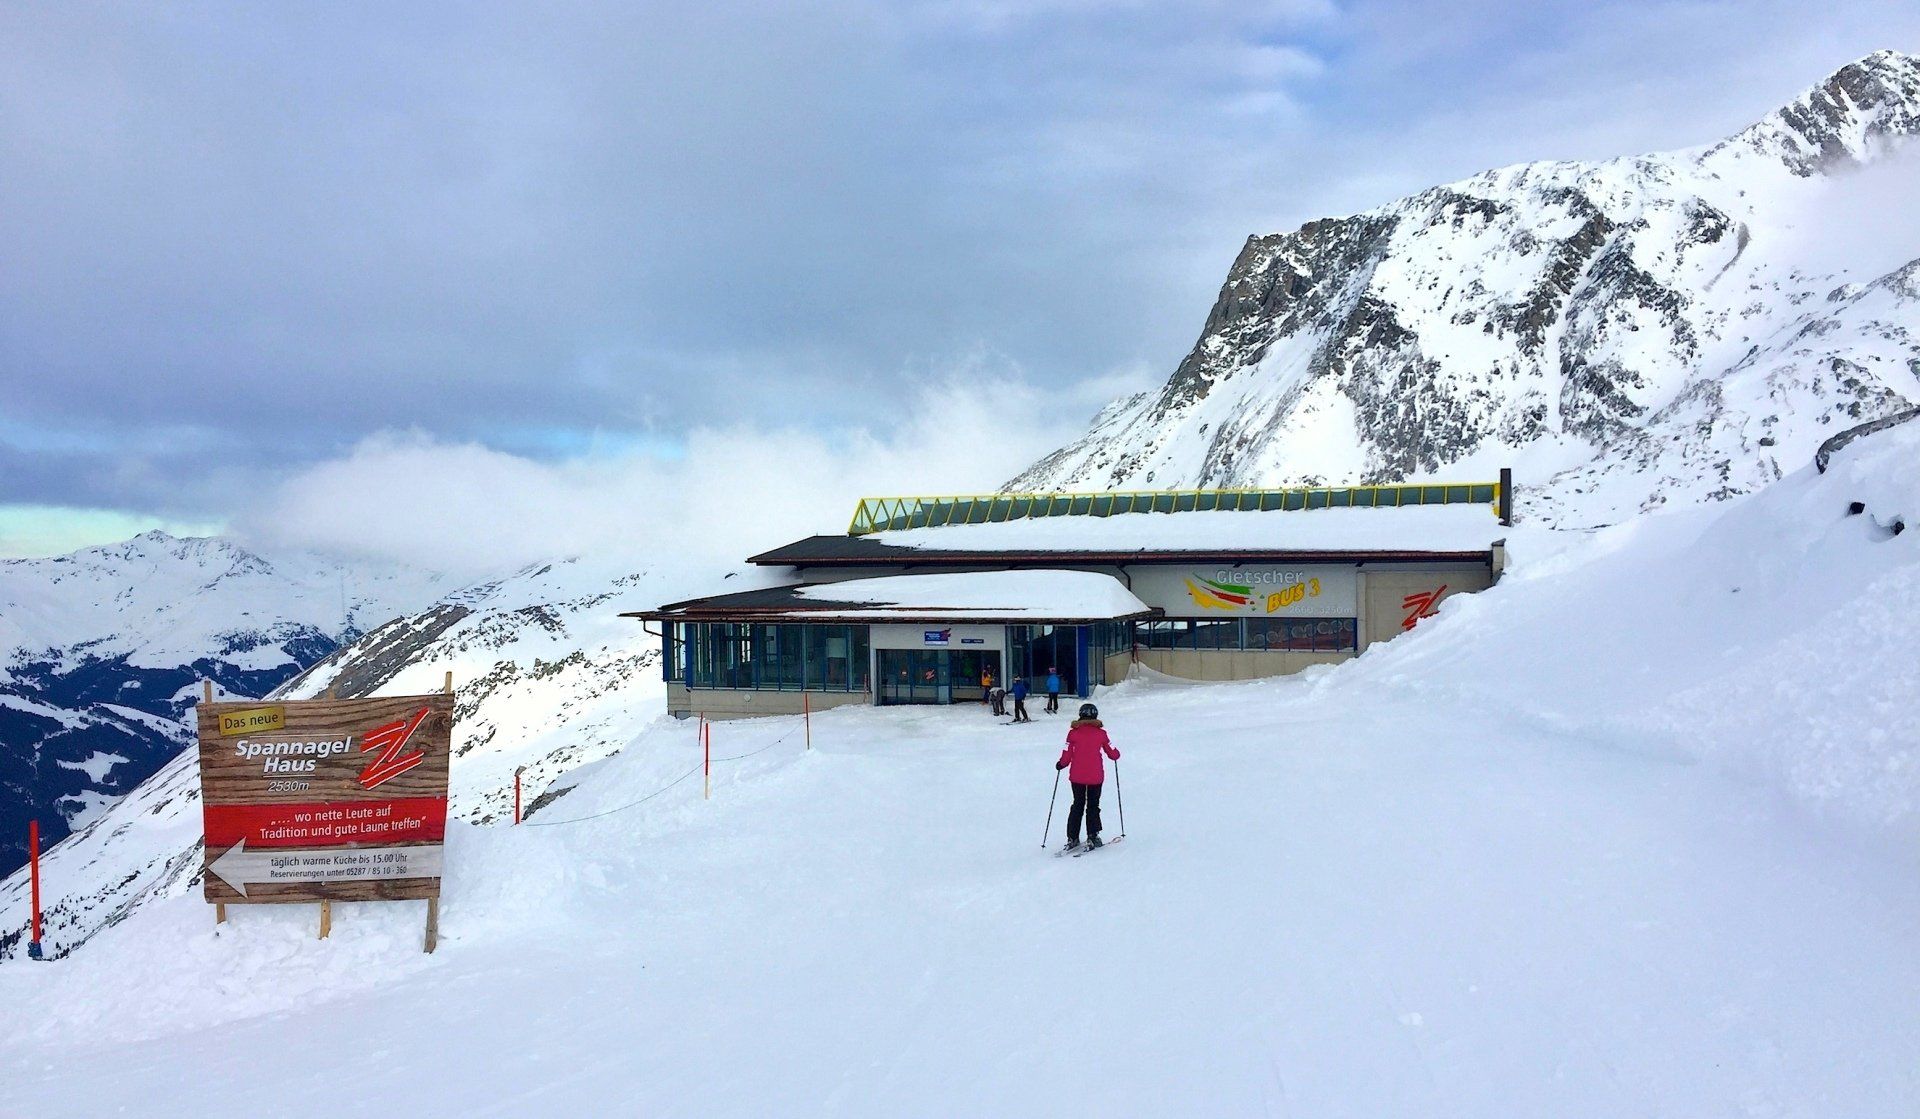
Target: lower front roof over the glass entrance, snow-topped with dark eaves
{"points": [[1024, 596]]}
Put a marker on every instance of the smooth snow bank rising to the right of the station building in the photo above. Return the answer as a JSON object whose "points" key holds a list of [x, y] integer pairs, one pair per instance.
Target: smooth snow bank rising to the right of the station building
{"points": [[1771, 638]]}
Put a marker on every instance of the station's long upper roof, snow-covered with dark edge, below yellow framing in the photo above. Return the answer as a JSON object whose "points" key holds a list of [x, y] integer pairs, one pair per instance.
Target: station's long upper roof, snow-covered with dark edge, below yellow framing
{"points": [[1412, 535]]}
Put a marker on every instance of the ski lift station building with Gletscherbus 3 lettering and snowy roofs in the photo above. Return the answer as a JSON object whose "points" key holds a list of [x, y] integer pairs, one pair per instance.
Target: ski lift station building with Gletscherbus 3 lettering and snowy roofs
{"points": [[923, 596]]}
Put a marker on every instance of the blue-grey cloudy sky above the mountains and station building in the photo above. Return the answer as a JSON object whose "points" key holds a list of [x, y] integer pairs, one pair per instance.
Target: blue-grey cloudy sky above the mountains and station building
{"points": [[272, 266]]}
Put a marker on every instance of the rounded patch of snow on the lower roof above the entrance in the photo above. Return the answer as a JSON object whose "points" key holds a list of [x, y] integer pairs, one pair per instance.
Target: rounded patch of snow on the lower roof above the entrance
{"points": [[1030, 594]]}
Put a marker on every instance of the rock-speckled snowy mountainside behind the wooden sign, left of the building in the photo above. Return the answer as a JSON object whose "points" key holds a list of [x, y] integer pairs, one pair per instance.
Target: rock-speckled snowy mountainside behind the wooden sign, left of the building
{"points": [[548, 677]]}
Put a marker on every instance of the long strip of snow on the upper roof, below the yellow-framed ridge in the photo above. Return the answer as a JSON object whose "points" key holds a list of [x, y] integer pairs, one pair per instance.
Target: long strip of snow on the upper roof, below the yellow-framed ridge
{"points": [[1408, 529]]}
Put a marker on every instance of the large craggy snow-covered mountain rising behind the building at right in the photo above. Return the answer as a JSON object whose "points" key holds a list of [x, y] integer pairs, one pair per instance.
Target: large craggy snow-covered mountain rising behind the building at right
{"points": [[1627, 335]]}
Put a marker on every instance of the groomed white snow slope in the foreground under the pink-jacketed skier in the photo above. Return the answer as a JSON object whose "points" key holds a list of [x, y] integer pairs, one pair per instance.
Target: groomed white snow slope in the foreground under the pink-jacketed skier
{"points": [[1548, 855]]}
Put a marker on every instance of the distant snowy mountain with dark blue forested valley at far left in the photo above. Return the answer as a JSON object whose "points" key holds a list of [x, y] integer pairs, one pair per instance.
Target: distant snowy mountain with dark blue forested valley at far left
{"points": [[103, 654]]}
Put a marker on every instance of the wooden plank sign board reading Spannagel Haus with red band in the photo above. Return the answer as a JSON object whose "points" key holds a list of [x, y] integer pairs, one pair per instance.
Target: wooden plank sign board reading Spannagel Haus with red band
{"points": [[325, 799]]}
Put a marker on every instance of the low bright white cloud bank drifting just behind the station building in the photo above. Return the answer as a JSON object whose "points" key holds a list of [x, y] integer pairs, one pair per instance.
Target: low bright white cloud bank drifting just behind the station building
{"points": [[732, 492]]}
